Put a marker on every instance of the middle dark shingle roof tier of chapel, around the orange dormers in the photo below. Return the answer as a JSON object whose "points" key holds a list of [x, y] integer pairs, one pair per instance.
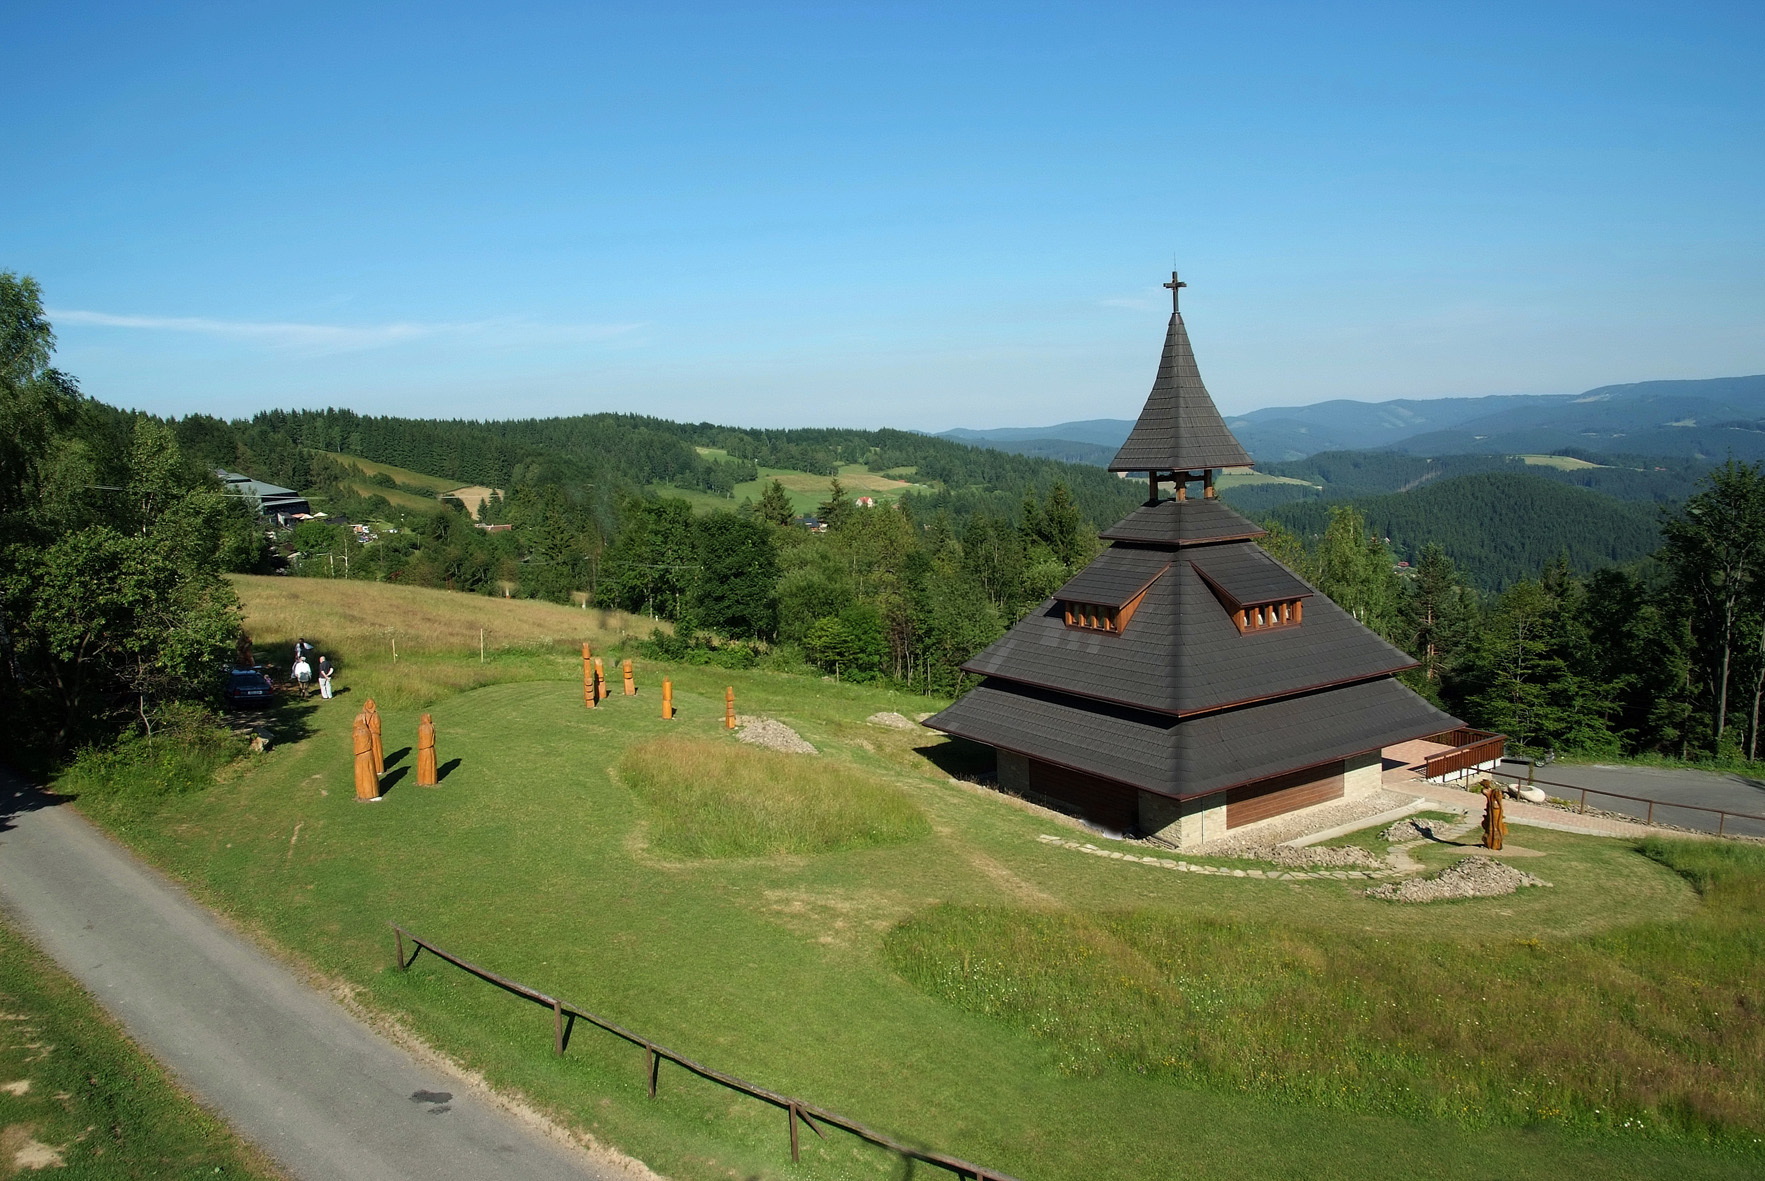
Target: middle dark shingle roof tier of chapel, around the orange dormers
{"points": [[1182, 652]]}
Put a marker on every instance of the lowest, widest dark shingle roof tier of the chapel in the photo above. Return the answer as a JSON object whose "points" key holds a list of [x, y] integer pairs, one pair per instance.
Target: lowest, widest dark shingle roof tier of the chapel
{"points": [[1199, 755]]}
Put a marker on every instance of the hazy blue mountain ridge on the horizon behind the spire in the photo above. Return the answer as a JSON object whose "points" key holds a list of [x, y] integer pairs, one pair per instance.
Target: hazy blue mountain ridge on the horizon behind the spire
{"points": [[1695, 419]]}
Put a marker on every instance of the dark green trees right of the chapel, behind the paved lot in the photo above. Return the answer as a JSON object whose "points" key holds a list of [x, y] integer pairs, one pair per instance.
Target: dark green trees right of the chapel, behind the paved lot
{"points": [[1664, 658]]}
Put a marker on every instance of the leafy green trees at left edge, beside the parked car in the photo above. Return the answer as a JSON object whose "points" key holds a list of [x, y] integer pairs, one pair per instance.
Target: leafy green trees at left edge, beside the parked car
{"points": [[114, 610]]}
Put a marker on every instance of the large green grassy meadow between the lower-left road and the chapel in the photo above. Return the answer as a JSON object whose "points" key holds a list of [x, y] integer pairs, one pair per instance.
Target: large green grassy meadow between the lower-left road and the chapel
{"points": [[908, 952]]}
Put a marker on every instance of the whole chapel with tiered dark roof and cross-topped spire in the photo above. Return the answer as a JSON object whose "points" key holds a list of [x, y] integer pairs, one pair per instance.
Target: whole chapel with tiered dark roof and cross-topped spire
{"points": [[1187, 684]]}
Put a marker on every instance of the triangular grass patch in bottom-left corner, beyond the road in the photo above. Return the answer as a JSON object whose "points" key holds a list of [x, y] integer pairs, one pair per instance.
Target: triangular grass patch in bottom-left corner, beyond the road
{"points": [[79, 1097]]}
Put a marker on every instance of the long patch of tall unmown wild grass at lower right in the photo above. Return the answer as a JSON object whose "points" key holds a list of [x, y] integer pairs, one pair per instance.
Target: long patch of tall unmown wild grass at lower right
{"points": [[1658, 1027]]}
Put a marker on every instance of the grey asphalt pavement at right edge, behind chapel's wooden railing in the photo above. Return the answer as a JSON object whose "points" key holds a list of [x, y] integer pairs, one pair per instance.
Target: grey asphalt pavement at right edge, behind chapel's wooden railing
{"points": [[1671, 786]]}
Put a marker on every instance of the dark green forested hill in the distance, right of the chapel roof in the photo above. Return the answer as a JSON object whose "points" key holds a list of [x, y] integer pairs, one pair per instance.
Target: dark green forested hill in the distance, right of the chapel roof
{"points": [[1499, 527]]}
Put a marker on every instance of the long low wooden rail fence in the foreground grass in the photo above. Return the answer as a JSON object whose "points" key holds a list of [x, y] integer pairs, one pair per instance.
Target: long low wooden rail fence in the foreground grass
{"points": [[564, 1021]]}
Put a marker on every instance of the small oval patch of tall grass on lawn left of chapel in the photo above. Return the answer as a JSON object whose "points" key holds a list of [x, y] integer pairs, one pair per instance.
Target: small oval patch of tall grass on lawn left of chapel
{"points": [[712, 799]]}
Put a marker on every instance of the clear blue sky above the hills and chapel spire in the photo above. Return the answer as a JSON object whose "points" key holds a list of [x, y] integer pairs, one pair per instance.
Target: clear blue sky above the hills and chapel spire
{"points": [[919, 216]]}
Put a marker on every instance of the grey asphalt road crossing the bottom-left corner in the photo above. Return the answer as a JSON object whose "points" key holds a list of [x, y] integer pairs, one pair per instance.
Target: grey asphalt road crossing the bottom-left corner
{"points": [[292, 1071]]}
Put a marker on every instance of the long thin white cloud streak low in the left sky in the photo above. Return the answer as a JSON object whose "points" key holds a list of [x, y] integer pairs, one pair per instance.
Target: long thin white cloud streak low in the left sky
{"points": [[349, 338]]}
